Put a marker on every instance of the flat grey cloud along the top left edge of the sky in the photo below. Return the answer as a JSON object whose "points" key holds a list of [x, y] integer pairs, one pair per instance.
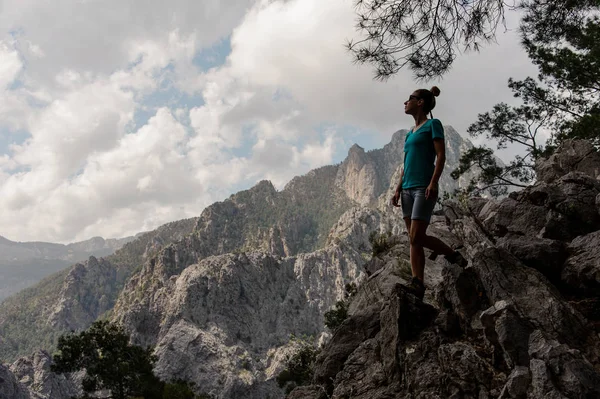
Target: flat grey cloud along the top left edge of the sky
{"points": [[98, 35]]}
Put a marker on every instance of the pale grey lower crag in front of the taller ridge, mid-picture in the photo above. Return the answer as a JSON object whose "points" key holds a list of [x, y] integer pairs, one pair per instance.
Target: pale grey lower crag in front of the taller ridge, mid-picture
{"points": [[224, 322]]}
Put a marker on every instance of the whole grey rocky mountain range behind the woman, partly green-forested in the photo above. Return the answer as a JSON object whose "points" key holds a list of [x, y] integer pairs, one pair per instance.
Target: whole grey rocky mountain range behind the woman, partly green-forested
{"points": [[221, 296]]}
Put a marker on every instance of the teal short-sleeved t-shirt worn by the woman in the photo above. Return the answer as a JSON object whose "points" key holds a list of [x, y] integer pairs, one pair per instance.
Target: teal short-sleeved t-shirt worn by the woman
{"points": [[419, 154]]}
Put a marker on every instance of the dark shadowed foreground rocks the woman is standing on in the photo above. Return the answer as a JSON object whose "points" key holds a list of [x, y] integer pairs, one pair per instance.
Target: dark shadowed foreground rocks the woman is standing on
{"points": [[517, 322]]}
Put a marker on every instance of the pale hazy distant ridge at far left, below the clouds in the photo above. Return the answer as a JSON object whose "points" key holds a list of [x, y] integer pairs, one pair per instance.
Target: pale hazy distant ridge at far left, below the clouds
{"points": [[23, 264]]}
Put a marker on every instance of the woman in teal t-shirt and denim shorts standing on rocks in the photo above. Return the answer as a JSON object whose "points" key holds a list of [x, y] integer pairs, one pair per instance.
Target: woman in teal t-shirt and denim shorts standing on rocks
{"points": [[424, 158]]}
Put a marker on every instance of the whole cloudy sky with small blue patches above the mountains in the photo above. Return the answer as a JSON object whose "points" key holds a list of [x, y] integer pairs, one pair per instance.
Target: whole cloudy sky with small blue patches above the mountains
{"points": [[117, 116]]}
